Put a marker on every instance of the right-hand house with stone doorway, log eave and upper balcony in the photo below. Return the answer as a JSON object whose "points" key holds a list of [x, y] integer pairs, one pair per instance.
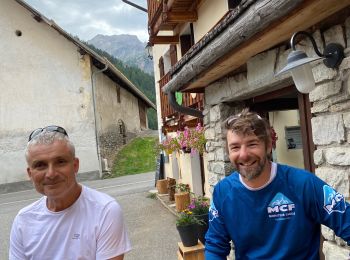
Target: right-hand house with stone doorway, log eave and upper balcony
{"points": [[231, 52]]}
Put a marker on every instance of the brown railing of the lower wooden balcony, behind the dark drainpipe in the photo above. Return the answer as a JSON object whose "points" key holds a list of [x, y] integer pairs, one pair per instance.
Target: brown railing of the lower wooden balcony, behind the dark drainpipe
{"points": [[187, 100]]}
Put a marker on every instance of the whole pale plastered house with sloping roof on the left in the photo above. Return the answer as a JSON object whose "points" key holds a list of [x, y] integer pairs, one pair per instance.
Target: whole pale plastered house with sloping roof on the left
{"points": [[49, 77]]}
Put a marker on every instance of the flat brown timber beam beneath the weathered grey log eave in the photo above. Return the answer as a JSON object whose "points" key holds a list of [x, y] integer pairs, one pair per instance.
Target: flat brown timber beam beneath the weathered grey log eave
{"points": [[308, 14]]}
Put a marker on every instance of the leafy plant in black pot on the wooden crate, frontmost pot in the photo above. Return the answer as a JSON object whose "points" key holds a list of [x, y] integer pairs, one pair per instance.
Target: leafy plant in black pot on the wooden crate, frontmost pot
{"points": [[187, 226]]}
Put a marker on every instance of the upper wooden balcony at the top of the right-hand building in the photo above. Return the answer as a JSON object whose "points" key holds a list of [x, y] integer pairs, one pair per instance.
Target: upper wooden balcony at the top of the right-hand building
{"points": [[166, 15]]}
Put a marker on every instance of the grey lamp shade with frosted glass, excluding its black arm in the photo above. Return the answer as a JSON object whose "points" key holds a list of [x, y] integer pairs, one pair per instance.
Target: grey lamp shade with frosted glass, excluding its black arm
{"points": [[298, 65]]}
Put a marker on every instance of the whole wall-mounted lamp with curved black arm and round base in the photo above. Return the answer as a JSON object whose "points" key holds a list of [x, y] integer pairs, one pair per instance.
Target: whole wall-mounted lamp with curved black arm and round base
{"points": [[298, 62]]}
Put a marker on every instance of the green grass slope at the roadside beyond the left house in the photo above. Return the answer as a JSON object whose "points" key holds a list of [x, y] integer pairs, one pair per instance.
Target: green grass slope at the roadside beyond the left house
{"points": [[136, 157]]}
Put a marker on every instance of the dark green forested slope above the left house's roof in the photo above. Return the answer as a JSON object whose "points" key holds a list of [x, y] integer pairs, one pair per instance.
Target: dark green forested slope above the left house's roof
{"points": [[143, 81]]}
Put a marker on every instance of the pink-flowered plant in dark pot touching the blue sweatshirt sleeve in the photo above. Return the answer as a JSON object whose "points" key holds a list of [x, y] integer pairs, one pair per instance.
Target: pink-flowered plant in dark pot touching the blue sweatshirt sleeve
{"points": [[199, 206]]}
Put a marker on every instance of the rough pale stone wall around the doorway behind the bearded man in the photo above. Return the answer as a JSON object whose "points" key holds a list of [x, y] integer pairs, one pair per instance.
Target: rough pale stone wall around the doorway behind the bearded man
{"points": [[330, 115]]}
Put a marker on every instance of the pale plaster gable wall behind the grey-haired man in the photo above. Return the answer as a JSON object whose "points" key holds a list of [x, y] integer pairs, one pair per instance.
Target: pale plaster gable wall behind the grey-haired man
{"points": [[44, 81]]}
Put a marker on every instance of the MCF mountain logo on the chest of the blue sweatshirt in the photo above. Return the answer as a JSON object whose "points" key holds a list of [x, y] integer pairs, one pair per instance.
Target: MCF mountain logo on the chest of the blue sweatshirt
{"points": [[280, 207]]}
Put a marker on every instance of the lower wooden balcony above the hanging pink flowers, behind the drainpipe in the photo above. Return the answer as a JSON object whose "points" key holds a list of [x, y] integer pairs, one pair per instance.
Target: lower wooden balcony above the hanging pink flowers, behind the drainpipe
{"points": [[168, 114]]}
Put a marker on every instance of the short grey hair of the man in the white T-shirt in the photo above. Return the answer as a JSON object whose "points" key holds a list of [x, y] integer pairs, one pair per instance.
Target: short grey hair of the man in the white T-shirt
{"points": [[49, 137]]}
